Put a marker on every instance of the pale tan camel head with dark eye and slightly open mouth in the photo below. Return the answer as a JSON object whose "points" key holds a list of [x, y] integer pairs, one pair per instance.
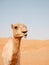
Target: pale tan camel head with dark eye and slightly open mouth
{"points": [[19, 30]]}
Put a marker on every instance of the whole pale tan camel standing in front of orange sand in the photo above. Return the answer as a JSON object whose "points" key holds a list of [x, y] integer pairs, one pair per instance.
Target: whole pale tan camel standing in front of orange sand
{"points": [[11, 50]]}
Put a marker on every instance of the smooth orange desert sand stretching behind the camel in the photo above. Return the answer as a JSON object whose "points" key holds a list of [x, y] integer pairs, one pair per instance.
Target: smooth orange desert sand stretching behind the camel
{"points": [[33, 52]]}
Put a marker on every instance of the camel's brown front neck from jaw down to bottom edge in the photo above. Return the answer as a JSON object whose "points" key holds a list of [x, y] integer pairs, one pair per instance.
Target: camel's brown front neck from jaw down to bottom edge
{"points": [[16, 50]]}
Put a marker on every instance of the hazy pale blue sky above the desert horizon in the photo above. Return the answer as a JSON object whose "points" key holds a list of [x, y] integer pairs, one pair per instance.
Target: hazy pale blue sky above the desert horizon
{"points": [[33, 13]]}
